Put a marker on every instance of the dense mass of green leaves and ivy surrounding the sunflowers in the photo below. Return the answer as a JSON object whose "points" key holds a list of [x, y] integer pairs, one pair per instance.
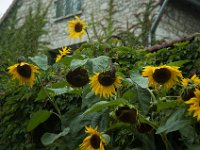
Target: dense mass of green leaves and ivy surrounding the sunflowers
{"points": [[52, 114]]}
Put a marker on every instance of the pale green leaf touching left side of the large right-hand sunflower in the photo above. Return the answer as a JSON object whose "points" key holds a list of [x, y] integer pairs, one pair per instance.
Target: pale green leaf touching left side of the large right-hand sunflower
{"points": [[137, 78]]}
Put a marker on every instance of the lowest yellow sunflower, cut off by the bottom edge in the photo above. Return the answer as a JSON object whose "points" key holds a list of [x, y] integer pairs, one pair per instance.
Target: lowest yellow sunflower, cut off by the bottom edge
{"points": [[94, 141]]}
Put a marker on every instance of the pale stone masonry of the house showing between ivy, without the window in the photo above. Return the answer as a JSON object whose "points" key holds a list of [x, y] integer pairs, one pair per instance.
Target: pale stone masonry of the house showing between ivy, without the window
{"points": [[126, 11]]}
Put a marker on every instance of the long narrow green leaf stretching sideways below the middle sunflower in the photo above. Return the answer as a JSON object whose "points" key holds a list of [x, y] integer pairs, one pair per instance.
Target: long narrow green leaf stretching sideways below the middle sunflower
{"points": [[103, 104]]}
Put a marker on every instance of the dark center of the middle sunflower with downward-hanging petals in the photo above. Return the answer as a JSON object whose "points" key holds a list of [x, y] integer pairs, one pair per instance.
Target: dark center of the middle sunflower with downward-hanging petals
{"points": [[106, 78]]}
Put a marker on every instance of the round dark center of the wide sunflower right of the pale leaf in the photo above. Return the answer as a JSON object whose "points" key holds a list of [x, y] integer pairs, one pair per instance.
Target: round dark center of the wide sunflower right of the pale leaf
{"points": [[162, 75]]}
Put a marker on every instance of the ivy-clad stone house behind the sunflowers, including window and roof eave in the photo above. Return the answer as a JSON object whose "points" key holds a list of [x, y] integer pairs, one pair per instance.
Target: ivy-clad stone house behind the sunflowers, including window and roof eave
{"points": [[180, 17]]}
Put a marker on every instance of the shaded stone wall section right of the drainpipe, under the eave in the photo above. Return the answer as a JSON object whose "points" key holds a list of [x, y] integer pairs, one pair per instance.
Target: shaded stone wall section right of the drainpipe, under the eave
{"points": [[178, 20]]}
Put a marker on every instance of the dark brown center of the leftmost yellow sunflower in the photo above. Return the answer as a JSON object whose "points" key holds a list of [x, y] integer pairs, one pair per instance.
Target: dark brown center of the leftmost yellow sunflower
{"points": [[24, 70]]}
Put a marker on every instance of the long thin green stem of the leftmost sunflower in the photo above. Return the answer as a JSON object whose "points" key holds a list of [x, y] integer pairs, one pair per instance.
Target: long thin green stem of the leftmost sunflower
{"points": [[50, 100]]}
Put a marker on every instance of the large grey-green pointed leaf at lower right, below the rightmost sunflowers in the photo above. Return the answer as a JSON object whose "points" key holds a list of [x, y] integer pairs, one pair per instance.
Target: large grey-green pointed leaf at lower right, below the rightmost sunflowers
{"points": [[174, 122]]}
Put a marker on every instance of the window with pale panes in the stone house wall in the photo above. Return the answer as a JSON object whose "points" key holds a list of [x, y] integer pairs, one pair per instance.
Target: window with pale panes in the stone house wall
{"points": [[67, 7]]}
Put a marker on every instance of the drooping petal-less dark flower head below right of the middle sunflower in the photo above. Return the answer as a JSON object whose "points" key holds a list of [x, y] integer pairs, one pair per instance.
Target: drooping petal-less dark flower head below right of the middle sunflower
{"points": [[126, 114]]}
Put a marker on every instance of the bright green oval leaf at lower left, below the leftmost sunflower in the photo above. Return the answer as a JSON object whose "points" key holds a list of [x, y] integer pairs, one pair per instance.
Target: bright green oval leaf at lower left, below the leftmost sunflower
{"points": [[38, 118]]}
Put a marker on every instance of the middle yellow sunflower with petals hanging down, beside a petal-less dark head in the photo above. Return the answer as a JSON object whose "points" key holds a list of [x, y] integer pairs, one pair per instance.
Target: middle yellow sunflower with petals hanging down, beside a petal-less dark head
{"points": [[104, 83]]}
